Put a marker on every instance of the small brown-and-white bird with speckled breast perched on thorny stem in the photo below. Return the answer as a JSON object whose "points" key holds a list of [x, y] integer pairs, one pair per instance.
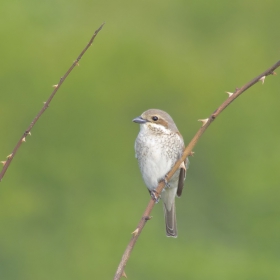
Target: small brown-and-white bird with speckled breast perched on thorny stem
{"points": [[158, 146]]}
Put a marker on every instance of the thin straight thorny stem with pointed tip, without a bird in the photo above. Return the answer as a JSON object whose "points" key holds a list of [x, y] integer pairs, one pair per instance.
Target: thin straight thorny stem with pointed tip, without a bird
{"points": [[46, 105]]}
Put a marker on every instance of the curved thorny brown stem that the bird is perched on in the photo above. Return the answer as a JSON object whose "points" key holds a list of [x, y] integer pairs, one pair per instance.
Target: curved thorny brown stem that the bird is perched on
{"points": [[186, 153]]}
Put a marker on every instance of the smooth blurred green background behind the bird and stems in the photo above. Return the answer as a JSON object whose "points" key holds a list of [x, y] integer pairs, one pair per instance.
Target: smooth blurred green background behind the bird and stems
{"points": [[74, 194]]}
